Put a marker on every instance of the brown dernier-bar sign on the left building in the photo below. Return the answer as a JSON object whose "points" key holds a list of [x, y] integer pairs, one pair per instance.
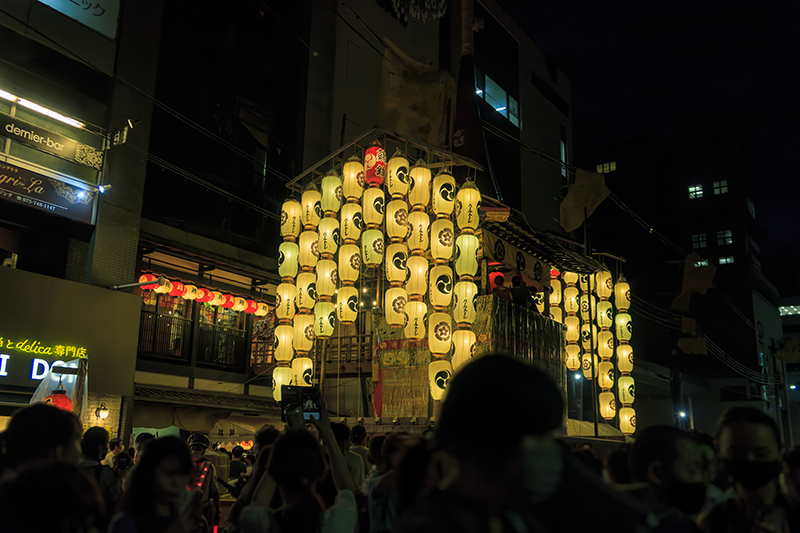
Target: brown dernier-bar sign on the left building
{"points": [[50, 142]]}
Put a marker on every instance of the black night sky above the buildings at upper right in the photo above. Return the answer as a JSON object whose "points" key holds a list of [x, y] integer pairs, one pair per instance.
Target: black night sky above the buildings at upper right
{"points": [[658, 68]]}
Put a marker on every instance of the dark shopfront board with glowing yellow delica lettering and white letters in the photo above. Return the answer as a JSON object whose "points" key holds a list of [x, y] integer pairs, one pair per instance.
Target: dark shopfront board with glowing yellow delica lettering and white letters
{"points": [[47, 321]]}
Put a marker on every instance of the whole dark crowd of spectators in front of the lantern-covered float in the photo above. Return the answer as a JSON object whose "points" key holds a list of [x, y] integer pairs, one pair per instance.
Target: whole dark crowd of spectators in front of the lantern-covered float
{"points": [[512, 476]]}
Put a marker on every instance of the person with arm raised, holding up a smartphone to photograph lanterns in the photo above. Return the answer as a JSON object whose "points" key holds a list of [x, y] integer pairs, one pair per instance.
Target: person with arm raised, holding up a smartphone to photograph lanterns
{"points": [[295, 466]]}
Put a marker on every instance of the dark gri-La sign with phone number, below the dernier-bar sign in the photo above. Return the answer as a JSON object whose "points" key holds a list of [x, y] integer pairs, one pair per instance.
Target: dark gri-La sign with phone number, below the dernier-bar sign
{"points": [[25, 187]]}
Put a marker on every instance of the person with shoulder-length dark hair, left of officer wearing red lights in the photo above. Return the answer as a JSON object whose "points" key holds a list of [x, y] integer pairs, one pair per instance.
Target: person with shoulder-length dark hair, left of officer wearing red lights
{"points": [[158, 500]]}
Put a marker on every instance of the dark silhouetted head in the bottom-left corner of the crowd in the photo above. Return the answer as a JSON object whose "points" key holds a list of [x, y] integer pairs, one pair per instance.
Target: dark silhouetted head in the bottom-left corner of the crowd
{"points": [[73, 504]]}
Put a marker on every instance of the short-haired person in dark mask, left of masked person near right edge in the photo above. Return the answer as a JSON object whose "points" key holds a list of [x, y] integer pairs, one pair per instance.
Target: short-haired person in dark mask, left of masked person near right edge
{"points": [[669, 461]]}
